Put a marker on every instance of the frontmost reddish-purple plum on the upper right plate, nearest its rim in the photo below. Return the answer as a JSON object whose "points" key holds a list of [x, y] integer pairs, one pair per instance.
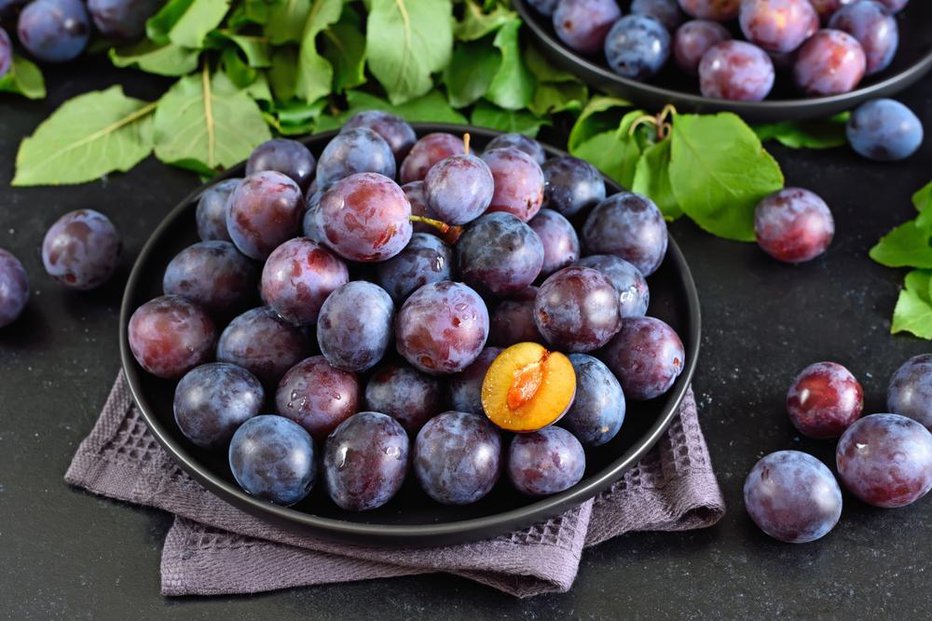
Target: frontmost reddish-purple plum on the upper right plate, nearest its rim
{"points": [[736, 70]]}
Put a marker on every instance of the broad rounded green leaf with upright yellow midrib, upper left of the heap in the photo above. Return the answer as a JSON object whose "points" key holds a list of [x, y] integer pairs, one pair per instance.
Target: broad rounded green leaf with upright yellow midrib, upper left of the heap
{"points": [[205, 124]]}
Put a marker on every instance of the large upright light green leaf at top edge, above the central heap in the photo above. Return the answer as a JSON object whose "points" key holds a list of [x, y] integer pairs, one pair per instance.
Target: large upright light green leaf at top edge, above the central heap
{"points": [[407, 41]]}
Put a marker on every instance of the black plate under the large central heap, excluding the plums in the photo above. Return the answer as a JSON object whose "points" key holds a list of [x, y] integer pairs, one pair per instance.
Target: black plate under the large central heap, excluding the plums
{"points": [[411, 518]]}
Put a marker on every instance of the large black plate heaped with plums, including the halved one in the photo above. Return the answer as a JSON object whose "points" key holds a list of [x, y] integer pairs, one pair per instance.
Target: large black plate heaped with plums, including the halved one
{"points": [[409, 335]]}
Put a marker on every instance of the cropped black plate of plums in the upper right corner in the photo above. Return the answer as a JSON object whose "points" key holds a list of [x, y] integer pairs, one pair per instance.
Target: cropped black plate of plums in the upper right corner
{"points": [[767, 60]]}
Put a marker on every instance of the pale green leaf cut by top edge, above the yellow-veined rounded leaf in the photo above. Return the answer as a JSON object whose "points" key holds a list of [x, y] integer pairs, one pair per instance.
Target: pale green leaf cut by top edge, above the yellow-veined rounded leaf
{"points": [[186, 22]]}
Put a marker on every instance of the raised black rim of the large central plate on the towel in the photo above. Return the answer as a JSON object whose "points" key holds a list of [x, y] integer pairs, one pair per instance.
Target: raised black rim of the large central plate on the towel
{"points": [[425, 534]]}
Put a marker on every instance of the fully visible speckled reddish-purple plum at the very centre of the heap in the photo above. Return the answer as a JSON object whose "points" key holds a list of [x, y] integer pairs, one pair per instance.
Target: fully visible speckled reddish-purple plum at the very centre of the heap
{"points": [[442, 328]]}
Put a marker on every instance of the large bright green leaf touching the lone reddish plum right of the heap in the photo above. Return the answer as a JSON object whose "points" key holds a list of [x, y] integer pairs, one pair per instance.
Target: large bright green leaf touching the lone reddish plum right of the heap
{"points": [[719, 172]]}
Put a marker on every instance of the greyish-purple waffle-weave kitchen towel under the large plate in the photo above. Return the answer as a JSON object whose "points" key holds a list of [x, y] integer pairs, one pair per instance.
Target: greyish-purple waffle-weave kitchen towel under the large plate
{"points": [[213, 548]]}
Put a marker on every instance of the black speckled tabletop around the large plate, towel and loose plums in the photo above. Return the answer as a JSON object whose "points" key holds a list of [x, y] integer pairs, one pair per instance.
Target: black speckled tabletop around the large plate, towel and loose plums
{"points": [[65, 553]]}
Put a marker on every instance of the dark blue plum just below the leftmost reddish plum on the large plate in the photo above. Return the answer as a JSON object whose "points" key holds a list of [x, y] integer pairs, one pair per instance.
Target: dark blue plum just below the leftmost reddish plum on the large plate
{"points": [[213, 400]]}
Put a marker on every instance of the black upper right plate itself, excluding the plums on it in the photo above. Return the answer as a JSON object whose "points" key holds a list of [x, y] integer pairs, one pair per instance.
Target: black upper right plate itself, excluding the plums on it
{"points": [[913, 60]]}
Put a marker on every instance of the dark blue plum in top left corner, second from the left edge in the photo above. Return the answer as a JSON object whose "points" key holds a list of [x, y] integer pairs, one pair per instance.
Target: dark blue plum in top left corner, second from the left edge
{"points": [[54, 31]]}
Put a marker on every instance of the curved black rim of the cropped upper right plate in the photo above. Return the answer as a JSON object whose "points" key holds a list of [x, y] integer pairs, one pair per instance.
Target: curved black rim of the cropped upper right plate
{"points": [[593, 73]]}
